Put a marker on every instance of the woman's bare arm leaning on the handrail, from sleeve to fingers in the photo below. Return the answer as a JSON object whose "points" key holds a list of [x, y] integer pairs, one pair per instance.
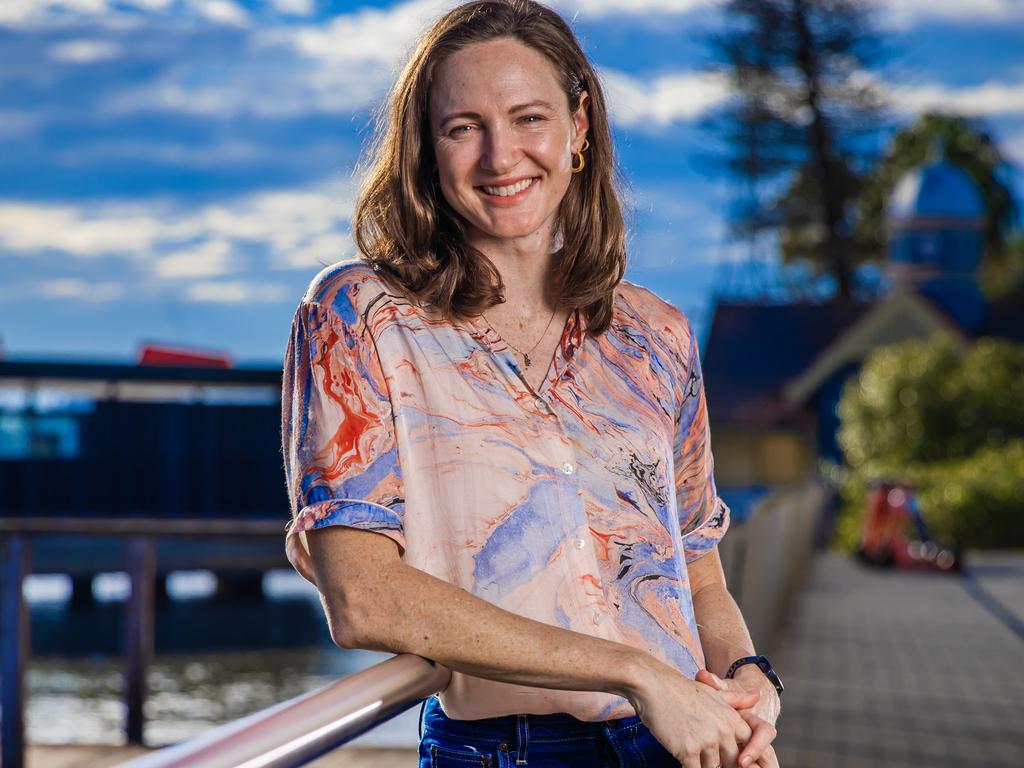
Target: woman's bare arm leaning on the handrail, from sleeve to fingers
{"points": [[374, 601]]}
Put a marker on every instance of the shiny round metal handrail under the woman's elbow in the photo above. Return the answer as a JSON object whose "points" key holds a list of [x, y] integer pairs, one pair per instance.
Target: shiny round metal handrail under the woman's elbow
{"points": [[302, 730]]}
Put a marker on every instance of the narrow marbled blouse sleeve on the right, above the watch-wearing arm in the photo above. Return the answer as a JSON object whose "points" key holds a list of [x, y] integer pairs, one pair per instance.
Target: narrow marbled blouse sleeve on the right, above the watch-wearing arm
{"points": [[704, 518]]}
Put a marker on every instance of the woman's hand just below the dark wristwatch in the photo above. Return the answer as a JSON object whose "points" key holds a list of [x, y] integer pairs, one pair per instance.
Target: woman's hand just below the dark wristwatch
{"points": [[756, 701]]}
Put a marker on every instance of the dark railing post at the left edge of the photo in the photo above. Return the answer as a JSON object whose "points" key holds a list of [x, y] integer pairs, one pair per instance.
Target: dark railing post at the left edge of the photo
{"points": [[15, 648]]}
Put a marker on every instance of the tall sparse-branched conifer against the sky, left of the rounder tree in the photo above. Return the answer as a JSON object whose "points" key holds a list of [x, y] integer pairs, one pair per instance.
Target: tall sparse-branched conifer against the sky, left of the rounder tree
{"points": [[795, 126]]}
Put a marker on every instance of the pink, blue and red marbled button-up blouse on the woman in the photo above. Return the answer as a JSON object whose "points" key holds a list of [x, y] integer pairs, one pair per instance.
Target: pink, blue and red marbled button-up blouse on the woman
{"points": [[579, 505]]}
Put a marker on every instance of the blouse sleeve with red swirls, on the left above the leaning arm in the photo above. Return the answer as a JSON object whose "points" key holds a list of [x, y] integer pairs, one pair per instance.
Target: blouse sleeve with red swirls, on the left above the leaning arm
{"points": [[338, 436]]}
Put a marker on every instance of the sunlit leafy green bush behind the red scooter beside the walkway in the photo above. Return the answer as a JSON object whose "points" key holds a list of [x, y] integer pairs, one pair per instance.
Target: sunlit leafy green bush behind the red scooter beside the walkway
{"points": [[952, 422]]}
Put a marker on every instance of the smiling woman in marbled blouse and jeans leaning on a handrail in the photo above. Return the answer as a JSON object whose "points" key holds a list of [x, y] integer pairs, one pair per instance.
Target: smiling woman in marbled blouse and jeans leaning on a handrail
{"points": [[497, 450]]}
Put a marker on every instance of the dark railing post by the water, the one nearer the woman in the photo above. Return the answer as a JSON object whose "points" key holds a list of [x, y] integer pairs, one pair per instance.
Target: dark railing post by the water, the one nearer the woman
{"points": [[139, 634]]}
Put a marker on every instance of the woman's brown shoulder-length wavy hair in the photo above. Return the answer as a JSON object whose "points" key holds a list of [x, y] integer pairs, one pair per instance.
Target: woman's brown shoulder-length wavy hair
{"points": [[406, 229]]}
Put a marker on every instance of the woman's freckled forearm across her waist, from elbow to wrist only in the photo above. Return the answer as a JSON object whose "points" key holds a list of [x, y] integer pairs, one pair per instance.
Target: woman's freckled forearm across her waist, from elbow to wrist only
{"points": [[410, 612]]}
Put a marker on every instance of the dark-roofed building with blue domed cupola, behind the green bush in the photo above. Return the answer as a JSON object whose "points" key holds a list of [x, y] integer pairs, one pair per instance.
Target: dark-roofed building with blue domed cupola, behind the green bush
{"points": [[775, 373]]}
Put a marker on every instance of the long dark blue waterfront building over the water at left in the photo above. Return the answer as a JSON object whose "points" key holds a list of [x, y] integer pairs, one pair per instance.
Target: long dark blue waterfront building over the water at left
{"points": [[177, 440]]}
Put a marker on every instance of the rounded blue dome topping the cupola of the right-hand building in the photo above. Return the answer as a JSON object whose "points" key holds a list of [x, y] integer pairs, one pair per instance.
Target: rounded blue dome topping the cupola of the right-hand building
{"points": [[936, 191]]}
